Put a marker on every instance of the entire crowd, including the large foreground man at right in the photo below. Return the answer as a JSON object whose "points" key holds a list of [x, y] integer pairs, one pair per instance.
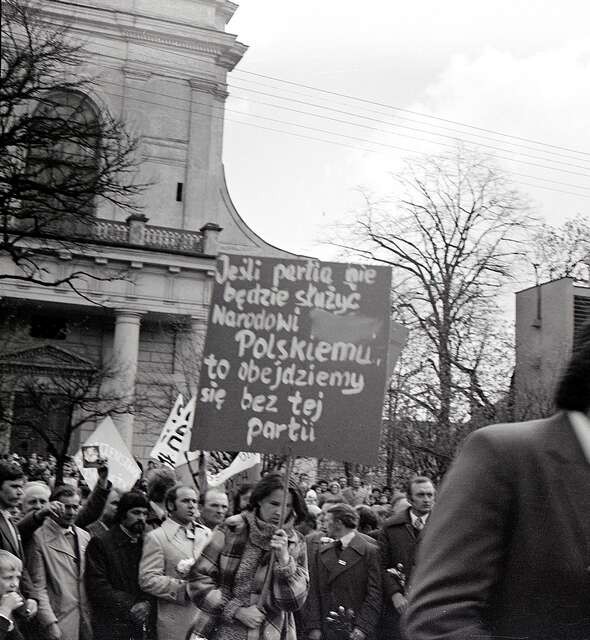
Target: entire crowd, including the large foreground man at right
{"points": [[504, 553]]}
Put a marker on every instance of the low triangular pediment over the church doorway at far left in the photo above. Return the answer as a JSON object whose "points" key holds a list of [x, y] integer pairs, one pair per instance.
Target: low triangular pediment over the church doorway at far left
{"points": [[45, 358]]}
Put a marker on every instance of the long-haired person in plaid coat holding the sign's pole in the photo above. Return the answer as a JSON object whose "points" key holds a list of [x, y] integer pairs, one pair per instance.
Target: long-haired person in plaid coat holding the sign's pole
{"points": [[242, 594]]}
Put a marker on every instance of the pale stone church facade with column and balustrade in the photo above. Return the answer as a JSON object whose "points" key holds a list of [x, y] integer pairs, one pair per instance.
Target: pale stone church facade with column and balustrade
{"points": [[161, 66]]}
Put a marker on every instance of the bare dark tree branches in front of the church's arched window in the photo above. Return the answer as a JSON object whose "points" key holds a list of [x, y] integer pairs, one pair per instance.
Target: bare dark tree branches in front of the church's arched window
{"points": [[59, 153]]}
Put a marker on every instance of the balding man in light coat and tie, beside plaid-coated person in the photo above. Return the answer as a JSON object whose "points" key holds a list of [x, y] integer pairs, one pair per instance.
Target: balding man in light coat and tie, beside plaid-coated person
{"points": [[168, 554]]}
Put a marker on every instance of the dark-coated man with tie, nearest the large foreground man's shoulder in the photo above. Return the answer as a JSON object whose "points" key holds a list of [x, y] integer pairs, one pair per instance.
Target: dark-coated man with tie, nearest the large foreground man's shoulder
{"points": [[398, 541]]}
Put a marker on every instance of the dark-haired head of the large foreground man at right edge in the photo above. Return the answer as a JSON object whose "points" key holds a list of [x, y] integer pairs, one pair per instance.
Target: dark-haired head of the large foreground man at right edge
{"points": [[573, 390]]}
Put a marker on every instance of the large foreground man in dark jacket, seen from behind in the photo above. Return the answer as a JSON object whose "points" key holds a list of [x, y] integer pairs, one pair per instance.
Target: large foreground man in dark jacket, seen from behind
{"points": [[507, 550]]}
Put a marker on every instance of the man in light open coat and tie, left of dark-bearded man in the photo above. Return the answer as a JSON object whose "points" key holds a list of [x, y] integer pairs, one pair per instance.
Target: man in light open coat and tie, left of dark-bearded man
{"points": [[56, 564]]}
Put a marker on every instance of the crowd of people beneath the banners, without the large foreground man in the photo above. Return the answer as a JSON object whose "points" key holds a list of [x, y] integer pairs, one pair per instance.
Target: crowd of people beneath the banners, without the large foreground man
{"points": [[156, 561]]}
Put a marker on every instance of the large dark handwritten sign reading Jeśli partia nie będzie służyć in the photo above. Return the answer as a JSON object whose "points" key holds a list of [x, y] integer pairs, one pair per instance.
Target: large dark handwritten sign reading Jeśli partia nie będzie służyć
{"points": [[295, 358]]}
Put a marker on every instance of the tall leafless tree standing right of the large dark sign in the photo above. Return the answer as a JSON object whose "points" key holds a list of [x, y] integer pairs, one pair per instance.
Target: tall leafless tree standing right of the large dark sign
{"points": [[452, 235]]}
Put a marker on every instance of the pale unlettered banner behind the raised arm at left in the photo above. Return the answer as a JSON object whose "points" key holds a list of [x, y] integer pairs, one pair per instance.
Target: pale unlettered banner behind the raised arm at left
{"points": [[123, 470]]}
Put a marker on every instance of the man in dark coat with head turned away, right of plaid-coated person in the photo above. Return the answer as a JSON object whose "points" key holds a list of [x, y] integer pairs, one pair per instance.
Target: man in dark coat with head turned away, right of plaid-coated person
{"points": [[343, 573]]}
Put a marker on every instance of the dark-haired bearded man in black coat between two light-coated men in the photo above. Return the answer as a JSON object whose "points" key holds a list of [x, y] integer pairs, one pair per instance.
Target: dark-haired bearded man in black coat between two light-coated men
{"points": [[120, 610]]}
